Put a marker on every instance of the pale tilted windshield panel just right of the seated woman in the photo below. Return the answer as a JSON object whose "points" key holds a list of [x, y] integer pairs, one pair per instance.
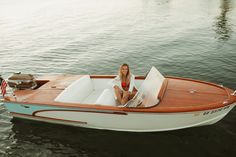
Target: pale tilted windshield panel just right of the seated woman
{"points": [[151, 86]]}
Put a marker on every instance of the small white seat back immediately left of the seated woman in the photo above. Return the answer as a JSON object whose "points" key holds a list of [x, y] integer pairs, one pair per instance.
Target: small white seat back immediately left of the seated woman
{"points": [[106, 98]]}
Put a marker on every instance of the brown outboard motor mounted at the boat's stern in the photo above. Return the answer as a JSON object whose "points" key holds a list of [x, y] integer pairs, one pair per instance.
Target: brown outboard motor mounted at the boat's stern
{"points": [[22, 81]]}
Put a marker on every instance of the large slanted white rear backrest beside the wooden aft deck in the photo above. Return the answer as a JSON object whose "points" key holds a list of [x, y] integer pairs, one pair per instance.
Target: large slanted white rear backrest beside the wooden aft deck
{"points": [[77, 91]]}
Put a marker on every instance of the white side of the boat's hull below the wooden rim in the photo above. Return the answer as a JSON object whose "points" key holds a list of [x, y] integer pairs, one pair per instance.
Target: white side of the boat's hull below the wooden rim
{"points": [[131, 121]]}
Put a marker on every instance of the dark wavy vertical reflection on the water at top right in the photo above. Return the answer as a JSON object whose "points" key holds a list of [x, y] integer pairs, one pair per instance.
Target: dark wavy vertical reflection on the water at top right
{"points": [[222, 26]]}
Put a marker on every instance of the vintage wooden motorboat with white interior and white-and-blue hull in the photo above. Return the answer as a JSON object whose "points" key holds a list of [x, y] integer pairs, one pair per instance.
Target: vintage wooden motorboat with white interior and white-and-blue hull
{"points": [[164, 103]]}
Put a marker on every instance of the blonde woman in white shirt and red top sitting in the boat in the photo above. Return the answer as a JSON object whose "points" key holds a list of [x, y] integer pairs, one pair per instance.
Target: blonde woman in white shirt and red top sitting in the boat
{"points": [[123, 85]]}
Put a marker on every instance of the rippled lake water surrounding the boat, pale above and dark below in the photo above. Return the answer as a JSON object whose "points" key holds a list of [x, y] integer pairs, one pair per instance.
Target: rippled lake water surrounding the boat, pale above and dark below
{"points": [[194, 39]]}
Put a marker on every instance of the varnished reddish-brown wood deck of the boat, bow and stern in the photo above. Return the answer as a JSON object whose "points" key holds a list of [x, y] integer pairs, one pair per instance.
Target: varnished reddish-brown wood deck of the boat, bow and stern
{"points": [[177, 95]]}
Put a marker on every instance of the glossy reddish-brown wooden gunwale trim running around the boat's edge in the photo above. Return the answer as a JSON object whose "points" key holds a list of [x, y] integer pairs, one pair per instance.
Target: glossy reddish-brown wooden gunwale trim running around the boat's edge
{"points": [[154, 109]]}
